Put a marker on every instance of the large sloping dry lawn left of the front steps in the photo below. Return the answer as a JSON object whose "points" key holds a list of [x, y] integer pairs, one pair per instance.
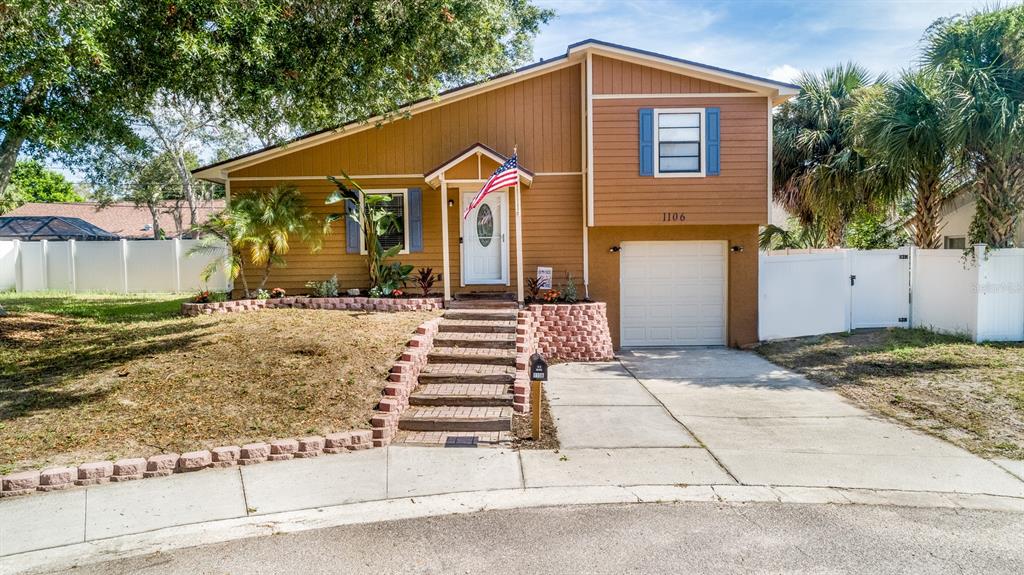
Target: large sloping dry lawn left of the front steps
{"points": [[104, 377]]}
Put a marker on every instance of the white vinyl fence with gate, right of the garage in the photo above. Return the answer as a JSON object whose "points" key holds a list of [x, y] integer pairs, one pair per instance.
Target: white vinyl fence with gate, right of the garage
{"points": [[831, 291]]}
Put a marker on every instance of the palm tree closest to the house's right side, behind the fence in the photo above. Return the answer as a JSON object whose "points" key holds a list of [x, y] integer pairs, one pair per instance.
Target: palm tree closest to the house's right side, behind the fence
{"points": [[818, 172]]}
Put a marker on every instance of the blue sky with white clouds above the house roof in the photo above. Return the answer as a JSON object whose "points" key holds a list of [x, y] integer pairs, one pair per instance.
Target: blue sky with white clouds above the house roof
{"points": [[773, 39]]}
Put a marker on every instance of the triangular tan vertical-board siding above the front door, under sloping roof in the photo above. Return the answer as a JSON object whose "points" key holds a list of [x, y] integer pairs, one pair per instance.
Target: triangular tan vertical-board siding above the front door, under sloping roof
{"points": [[540, 115]]}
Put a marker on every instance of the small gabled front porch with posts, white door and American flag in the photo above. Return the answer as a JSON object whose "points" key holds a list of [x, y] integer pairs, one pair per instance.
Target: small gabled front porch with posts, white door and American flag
{"points": [[482, 252]]}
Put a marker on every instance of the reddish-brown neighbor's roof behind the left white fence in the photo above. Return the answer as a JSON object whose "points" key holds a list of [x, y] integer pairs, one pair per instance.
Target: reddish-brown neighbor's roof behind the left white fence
{"points": [[123, 219]]}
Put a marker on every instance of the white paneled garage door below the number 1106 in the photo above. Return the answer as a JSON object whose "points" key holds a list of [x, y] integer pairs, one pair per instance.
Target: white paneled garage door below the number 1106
{"points": [[673, 293]]}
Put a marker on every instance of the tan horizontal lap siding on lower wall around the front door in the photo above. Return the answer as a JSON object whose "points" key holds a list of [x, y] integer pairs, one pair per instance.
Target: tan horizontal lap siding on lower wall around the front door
{"points": [[552, 223]]}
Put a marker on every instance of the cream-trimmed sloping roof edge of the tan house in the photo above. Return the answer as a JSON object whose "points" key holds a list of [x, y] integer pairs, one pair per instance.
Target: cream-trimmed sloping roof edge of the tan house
{"points": [[577, 53]]}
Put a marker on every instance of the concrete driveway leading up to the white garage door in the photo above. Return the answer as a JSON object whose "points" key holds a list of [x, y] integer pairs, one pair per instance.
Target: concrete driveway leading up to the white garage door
{"points": [[757, 423]]}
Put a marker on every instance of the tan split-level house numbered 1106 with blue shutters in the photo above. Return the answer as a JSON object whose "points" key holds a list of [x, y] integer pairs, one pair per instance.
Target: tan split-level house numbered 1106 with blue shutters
{"points": [[645, 178]]}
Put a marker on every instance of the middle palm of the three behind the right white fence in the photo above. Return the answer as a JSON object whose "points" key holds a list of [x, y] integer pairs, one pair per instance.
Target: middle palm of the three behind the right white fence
{"points": [[900, 127]]}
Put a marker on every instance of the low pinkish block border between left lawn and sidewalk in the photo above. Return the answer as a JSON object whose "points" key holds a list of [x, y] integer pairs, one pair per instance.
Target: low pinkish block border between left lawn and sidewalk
{"points": [[163, 465]]}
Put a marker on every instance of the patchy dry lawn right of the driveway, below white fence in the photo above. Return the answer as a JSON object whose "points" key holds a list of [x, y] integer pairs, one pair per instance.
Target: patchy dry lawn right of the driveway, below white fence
{"points": [[971, 395]]}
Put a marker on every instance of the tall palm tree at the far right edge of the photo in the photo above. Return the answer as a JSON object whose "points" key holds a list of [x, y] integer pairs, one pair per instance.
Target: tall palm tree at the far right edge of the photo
{"points": [[980, 59]]}
